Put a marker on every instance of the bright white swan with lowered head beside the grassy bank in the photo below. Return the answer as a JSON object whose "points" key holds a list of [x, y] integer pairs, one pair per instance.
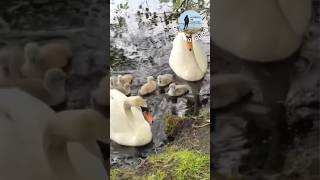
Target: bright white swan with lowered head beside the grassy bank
{"points": [[127, 123]]}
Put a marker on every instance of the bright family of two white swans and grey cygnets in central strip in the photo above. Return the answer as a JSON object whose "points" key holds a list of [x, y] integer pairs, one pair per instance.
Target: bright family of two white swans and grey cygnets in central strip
{"points": [[129, 123]]}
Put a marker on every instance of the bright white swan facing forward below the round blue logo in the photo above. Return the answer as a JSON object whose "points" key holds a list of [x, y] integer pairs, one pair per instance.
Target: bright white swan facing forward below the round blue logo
{"points": [[188, 65]]}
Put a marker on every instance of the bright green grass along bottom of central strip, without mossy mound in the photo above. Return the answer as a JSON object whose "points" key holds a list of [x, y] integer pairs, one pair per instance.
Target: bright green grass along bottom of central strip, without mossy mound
{"points": [[173, 163]]}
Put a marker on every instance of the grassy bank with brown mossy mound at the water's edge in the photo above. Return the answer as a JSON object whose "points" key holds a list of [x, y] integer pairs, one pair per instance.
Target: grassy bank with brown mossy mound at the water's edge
{"points": [[177, 161]]}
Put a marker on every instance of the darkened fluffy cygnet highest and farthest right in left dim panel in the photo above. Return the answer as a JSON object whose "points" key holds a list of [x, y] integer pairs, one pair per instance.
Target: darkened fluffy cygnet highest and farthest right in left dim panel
{"points": [[40, 59]]}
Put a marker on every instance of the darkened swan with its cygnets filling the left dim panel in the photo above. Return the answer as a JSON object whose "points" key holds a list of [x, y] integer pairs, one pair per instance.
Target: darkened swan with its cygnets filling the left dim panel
{"points": [[38, 142]]}
